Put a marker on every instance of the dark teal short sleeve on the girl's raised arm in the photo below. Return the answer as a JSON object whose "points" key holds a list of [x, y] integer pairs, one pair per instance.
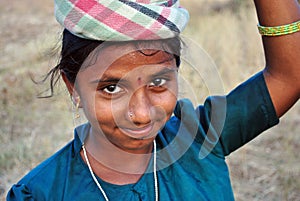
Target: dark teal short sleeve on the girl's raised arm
{"points": [[249, 111]]}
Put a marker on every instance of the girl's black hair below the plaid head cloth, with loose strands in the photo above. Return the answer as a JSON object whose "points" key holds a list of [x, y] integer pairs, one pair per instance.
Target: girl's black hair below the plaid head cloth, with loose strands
{"points": [[75, 50]]}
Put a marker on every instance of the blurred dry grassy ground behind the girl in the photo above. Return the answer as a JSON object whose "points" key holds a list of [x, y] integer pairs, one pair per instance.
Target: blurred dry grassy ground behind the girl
{"points": [[32, 129]]}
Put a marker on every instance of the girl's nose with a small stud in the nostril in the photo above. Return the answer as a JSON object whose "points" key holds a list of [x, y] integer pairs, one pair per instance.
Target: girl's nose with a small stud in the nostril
{"points": [[140, 107]]}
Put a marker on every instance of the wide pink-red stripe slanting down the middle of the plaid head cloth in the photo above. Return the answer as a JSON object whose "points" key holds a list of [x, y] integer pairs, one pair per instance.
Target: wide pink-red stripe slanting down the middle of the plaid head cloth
{"points": [[112, 19]]}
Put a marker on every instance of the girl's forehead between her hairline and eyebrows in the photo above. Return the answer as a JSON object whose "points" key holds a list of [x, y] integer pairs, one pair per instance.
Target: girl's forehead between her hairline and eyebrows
{"points": [[123, 58]]}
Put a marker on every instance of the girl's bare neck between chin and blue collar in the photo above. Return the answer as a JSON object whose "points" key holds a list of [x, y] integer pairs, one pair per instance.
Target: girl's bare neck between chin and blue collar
{"points": [[114, 165]]}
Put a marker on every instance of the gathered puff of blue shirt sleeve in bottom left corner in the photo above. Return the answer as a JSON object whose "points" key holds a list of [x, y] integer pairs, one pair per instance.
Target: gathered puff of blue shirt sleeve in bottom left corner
{"points": [[19, 192]]}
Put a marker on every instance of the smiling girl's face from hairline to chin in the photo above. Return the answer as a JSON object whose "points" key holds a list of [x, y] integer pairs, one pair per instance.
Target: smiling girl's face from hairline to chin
{"points": [[128, 97]]}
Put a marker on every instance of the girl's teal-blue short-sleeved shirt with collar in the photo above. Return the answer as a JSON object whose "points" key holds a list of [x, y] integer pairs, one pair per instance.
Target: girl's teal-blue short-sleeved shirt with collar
{"points": [[190, 159]]}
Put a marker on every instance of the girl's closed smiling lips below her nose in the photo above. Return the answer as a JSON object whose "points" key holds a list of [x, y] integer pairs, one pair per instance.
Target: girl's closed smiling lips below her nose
{"points": [[138, 133]]}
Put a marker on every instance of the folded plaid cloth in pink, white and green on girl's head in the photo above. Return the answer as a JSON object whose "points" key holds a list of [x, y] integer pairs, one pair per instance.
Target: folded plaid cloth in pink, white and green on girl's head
{"points": [[122, 20]]}
